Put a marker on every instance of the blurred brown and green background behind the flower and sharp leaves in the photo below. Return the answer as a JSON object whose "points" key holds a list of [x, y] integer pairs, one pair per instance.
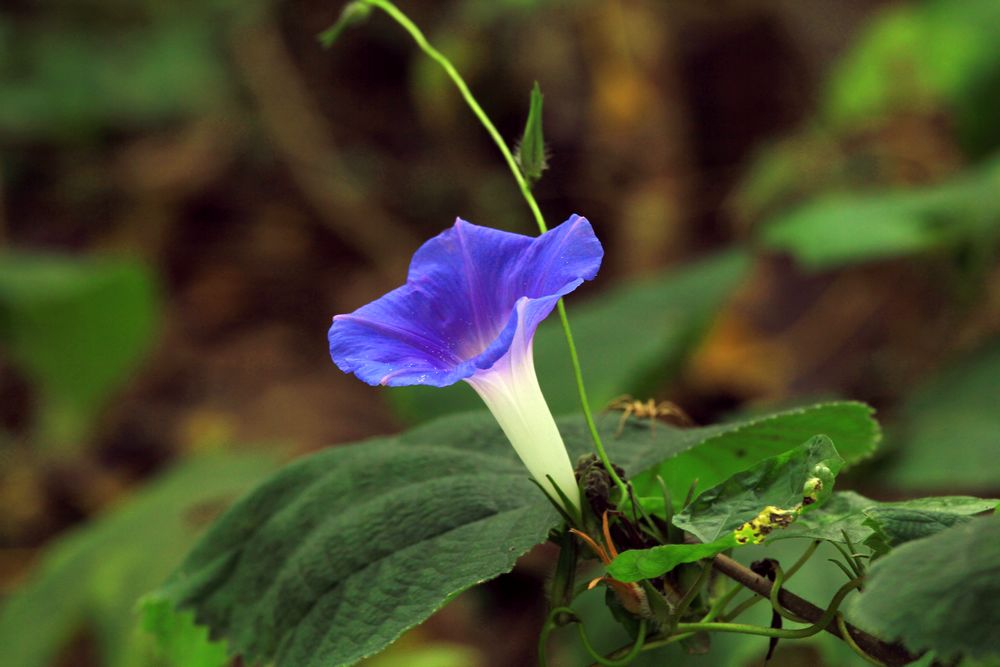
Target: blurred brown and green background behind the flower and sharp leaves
{"points": [[799, 200]]}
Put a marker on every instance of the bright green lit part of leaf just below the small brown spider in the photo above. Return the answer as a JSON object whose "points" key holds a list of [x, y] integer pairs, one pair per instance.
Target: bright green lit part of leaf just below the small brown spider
{"points": [[726, 449]]}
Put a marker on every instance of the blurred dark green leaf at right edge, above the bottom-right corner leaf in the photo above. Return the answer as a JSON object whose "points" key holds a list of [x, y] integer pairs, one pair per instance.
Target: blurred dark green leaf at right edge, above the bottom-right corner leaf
{"points": [[945, 436]]}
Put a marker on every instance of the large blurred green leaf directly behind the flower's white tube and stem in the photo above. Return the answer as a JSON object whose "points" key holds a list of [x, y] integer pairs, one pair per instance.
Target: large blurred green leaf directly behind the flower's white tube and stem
{"points": [[656, 321]]}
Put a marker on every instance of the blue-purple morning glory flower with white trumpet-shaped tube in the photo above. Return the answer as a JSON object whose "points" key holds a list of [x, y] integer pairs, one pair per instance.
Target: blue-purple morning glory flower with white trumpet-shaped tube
{"points": [[472, 301]]}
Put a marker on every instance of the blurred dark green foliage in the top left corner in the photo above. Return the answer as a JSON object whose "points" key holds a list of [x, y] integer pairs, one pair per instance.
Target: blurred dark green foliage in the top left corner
{"points": [[60, 83]]}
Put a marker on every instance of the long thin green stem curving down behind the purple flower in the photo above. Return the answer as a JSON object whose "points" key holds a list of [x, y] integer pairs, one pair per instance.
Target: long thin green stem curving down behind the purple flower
{"points": [[418, 36]]}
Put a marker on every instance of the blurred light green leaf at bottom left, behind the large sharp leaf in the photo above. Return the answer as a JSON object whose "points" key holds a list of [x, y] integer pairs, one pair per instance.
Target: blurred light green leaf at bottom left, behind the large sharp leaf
{"points": [[94, 577]]}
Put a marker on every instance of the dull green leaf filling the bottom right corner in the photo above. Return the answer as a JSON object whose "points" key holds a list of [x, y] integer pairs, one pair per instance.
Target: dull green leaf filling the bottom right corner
{"points": [[941, 593]]}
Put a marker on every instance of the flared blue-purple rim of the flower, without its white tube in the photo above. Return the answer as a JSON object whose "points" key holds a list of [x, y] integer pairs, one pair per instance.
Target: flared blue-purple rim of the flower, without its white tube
{"points": [[456, 313]]}
